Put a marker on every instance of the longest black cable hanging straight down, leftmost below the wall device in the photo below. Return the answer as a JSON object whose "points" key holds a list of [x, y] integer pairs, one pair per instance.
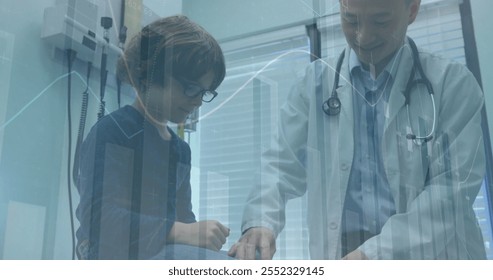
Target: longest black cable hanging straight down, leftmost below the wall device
{"points": [[70, 57]]}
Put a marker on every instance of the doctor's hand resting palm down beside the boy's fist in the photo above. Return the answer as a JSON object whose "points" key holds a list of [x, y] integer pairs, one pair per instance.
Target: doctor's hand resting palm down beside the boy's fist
{"points": [[256, 238]]}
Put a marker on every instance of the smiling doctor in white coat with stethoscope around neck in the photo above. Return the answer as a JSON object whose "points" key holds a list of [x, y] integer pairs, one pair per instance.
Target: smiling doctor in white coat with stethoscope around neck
{"points": [[391, 161]]}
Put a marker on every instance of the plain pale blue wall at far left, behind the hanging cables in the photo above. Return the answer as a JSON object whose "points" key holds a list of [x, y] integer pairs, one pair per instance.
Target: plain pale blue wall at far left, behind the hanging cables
{"points": [[33, 132]]}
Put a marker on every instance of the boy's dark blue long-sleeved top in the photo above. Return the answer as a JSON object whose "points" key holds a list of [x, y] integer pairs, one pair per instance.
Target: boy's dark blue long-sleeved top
{"points": [[133, 186]]}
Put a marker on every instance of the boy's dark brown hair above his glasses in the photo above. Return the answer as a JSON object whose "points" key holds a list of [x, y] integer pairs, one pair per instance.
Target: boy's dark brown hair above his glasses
{"points": [[171, 47]]}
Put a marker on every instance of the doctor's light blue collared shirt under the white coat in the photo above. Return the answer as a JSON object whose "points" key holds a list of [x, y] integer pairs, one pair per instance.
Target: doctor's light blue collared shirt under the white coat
{"points": [[369, 202]]}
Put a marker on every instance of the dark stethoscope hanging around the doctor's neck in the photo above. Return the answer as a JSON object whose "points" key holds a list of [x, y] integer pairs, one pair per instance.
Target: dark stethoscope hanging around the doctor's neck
{"points": [[332, 106]]}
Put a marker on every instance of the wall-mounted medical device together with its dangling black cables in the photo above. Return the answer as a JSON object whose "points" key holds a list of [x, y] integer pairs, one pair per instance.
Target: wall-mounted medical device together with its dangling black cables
{"points": [[77, 29]]}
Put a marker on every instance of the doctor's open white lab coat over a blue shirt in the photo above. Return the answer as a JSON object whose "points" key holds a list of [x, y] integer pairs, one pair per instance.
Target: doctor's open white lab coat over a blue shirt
{"points": [[433, 185]]}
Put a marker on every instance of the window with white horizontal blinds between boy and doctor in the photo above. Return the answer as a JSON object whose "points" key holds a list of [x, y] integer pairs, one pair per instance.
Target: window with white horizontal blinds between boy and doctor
{"points": [[238, 125]]}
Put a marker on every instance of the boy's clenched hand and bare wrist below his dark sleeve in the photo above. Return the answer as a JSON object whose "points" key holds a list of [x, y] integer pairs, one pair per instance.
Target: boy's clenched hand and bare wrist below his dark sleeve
{"points": [[206, 234]]}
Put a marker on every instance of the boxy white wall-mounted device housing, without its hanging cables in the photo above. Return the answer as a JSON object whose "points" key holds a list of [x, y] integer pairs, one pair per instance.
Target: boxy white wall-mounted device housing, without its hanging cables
{"points": [[73, 24]]}
